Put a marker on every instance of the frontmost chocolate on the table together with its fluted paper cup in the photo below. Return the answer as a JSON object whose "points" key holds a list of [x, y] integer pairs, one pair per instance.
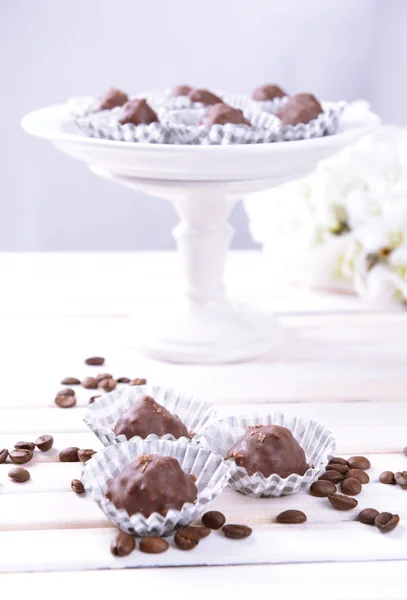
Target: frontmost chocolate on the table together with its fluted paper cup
{"points": [[175, 479]]}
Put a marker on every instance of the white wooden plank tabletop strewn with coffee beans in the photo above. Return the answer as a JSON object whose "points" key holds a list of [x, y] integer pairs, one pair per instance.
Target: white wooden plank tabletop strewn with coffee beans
{"points": [[340, 364]]}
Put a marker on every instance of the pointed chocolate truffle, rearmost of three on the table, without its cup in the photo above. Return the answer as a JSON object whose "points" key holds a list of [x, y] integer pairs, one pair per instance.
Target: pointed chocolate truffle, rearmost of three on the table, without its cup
{"points": [[146, 416]]}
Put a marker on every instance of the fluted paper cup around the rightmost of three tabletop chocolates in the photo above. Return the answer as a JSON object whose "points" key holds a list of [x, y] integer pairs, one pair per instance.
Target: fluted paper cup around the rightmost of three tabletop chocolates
{"points": [[317, 441]]}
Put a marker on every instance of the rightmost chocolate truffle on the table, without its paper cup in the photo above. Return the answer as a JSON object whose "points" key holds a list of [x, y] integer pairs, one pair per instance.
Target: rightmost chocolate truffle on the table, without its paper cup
{"points": [[269, 449]]}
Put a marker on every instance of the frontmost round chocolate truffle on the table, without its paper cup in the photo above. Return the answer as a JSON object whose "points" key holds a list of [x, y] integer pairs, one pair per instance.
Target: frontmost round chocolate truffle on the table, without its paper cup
{"points": [[152, 483]]}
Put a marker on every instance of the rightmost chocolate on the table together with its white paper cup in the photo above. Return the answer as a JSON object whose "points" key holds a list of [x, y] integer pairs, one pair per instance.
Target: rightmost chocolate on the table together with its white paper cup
{"points": [[250, 444]]}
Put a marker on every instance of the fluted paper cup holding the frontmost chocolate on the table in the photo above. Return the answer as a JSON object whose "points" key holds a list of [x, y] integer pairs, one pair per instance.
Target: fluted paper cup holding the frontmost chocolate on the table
{"points": [[211, 471]]}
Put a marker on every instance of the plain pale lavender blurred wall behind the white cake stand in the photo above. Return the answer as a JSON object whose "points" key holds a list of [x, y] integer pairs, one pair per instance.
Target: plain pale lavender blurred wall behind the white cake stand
{"points": [[51, 50]]}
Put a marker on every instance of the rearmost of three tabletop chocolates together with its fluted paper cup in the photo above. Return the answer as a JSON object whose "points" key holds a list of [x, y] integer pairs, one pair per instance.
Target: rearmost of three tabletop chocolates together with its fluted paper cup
{"points": [[148, 411]]}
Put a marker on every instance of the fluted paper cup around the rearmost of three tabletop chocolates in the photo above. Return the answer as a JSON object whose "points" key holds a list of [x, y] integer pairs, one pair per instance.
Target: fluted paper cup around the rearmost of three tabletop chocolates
{"points": [[104, 413]]}
